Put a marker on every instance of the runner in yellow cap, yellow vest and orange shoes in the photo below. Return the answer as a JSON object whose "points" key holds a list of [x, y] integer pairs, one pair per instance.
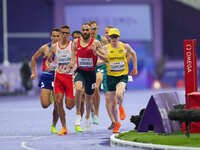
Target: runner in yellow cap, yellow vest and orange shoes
{"points": [[117, 74]]}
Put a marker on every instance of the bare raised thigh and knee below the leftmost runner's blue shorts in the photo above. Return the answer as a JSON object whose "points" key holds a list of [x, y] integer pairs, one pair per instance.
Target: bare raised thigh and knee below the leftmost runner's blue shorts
{"points": [[45, 97]]}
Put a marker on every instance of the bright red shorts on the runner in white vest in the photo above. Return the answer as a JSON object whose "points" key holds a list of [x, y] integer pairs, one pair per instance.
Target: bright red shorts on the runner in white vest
{"points": [[63, 83]]}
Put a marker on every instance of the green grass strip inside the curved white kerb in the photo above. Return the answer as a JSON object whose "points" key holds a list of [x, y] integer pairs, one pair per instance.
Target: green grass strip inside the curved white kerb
{"points": [[175, 139]]}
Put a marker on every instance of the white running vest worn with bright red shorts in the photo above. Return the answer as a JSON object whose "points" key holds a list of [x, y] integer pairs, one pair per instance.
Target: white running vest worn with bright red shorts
{"points": [[63, 58]]}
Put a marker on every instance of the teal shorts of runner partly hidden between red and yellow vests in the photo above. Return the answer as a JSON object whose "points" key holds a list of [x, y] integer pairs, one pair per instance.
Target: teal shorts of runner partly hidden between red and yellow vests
{"points": [[102, 68]]}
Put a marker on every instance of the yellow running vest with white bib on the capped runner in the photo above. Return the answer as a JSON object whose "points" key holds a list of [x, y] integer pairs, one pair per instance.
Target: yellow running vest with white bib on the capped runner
{"points": [[117, 63]]}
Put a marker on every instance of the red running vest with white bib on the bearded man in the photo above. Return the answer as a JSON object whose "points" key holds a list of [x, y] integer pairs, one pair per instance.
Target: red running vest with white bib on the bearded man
{"points": [[86, 60]]}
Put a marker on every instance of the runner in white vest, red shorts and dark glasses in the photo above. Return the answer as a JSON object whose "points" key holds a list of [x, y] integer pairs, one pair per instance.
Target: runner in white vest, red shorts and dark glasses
{"points": [[63, 78]]}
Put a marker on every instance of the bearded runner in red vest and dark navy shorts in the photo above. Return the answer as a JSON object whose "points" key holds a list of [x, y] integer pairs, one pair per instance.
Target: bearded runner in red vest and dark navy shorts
{"points": [[86, 49]]}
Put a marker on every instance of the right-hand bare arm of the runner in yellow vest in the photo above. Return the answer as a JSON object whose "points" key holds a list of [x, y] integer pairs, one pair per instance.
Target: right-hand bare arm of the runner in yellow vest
{"points": [[132, 52]]}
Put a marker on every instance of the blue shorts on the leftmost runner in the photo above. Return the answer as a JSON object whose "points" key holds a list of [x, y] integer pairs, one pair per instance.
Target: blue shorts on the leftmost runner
{"points": [[46, 80]]}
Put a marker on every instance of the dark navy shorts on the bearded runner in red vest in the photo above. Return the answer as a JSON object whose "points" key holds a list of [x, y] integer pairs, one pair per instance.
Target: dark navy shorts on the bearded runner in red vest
{"points": [[88, 79]]}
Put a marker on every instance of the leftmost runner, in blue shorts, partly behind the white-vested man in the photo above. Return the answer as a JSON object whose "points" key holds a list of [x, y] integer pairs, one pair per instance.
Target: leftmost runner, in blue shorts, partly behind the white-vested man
{"points": [[46, 78]]}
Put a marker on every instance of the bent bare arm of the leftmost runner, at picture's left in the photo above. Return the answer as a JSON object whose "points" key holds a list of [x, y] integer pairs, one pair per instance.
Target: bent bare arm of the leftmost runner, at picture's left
{"points": [[36, 55]]}
